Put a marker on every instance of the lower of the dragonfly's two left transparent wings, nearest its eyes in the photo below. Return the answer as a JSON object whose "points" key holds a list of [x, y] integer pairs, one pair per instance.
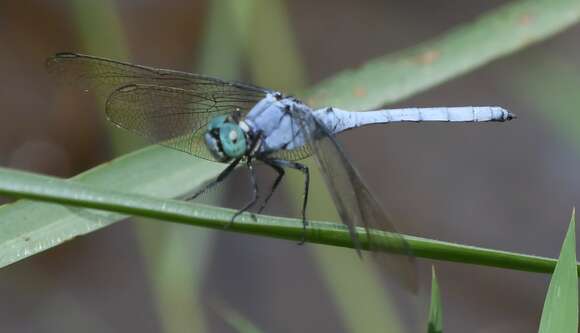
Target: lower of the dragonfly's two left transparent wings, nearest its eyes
{"points": [[173, 117]]}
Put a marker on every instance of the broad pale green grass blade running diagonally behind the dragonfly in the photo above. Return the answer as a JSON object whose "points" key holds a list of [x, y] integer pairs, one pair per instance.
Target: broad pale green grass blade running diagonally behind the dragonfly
{"points": [[161, 173]]}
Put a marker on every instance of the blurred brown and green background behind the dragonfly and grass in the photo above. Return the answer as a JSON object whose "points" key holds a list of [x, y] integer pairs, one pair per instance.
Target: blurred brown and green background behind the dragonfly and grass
{"points": [[507, 187]]}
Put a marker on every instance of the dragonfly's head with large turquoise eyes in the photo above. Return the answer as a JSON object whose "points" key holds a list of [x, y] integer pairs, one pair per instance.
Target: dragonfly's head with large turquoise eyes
{"points": [[225, 139]]}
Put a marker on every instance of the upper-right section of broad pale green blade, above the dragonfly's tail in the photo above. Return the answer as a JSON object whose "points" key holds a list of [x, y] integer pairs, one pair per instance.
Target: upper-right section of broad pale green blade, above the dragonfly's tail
{"points": [[498, 33]]}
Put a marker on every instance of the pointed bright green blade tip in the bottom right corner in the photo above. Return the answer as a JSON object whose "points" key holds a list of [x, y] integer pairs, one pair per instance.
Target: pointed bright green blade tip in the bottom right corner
{"points": [[560, 312]]}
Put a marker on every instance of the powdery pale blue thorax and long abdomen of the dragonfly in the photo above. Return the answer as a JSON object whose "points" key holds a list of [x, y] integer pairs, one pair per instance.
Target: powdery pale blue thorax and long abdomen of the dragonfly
{"points": [[275, 119]]}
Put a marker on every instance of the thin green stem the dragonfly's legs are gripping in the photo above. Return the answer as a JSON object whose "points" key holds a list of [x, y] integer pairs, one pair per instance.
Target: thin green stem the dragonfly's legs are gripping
{"points": [[37, 187]]}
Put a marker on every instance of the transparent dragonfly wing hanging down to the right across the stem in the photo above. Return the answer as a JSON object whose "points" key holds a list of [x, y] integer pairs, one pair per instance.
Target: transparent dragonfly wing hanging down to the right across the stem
{"points": [[356, 205]]}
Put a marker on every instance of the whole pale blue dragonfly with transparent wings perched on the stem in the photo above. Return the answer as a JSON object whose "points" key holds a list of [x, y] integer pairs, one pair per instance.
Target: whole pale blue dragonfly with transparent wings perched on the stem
{"points": [[232, 122]]}
